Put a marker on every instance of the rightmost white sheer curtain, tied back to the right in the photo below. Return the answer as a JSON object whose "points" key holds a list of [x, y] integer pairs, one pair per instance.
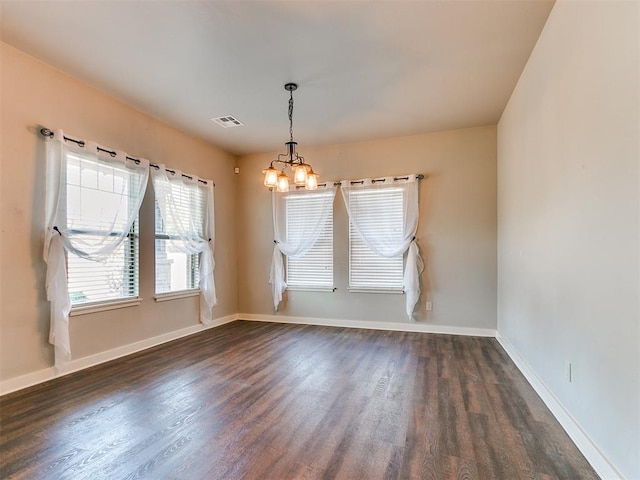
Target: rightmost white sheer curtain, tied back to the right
{"points": [[388, 242]]}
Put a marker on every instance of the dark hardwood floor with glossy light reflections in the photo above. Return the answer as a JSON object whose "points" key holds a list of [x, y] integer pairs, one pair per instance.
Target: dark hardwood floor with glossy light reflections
{"points": [[270, 401]]}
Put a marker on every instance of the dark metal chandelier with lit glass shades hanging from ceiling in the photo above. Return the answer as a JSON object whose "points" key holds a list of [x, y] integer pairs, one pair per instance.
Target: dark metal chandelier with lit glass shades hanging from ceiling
{"points": [[303, 174]]}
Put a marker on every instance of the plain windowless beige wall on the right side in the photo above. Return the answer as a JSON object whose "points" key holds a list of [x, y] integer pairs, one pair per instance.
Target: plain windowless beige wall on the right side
{"points": [[568, 202]]}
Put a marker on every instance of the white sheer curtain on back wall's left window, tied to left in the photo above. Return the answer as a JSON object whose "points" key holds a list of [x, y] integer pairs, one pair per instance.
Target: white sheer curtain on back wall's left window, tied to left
{"points": [[296, 243]]}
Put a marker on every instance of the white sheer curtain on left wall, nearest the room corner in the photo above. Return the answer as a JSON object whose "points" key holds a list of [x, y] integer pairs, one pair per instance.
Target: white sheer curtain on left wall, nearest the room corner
{"points": [[192, 229]]}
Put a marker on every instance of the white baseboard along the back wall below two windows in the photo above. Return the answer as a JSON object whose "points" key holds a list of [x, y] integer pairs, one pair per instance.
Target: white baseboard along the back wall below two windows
{"points": [[399, 327]]}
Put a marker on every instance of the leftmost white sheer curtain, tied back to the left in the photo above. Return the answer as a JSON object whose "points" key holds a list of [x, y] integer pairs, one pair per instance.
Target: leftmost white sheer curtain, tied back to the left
{"points": [[112, 205]]}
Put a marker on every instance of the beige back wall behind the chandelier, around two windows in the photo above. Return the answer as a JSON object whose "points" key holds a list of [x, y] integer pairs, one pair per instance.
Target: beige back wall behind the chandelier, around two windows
{"points": [[456, 232]]}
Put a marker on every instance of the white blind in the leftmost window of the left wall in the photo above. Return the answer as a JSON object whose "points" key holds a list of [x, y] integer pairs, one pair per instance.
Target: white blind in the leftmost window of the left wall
{"points": [[93, 187]]}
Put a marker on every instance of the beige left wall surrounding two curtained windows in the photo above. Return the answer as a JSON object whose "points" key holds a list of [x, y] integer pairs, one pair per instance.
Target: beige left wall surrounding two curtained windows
{"points": [[33, 93]]}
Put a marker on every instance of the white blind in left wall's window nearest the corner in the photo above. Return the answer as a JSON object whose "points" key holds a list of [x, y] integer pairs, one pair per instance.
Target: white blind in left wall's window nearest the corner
{"points": [[175, 269]]}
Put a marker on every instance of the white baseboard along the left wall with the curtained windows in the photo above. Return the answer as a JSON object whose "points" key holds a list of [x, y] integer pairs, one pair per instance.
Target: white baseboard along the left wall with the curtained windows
{"points": [[44, 375]]}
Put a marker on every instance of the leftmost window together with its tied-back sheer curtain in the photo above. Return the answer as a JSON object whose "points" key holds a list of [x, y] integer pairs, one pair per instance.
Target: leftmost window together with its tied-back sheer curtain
{"points": [[92, 199]]}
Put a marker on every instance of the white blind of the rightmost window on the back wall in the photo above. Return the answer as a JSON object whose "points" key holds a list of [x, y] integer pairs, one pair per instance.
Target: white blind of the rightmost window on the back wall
{"points": [[382, 212]]}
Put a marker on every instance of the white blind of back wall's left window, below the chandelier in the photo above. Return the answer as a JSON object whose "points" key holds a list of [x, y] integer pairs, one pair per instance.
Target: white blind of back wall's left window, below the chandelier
{"points": [[315, 268]]}
